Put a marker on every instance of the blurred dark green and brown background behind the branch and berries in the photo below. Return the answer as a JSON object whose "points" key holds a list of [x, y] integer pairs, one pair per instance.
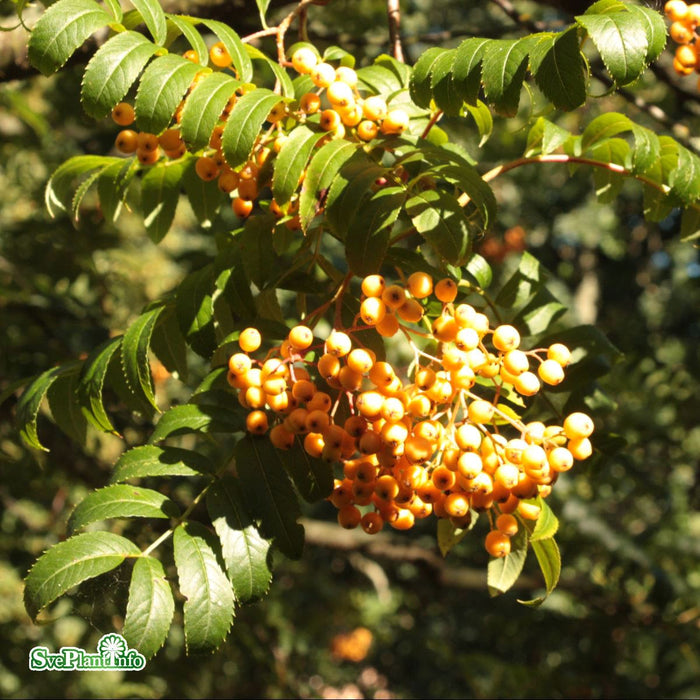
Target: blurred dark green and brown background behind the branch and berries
{"points": [[359, 617]]}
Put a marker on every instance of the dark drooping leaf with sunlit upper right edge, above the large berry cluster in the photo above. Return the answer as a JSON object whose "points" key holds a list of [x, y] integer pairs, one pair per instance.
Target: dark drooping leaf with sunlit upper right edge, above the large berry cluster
{"points": [[367, 237]]}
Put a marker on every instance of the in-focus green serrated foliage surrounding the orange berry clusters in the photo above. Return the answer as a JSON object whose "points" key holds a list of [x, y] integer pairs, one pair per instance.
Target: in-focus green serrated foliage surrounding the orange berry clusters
{"points": [[198, 323]]}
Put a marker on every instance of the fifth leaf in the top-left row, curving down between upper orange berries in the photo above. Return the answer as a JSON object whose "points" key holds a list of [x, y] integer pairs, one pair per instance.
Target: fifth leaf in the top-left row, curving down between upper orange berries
{"points": [[244, 124]]}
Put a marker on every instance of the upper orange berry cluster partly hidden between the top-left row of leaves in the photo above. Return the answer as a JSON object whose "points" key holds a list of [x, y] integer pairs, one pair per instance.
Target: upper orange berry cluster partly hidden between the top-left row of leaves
{"points": [[334, 106]]}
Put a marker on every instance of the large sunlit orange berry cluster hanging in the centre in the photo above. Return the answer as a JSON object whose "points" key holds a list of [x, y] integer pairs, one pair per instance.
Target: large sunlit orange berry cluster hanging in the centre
{"points": [[440, 439]]}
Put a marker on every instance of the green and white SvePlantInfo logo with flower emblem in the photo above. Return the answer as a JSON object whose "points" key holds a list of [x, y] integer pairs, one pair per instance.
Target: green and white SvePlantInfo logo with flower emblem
{"points": [[113, 654]]}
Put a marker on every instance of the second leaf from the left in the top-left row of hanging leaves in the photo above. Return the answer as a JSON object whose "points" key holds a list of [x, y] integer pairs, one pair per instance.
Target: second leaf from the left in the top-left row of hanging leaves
{"points": [[113, 70]]}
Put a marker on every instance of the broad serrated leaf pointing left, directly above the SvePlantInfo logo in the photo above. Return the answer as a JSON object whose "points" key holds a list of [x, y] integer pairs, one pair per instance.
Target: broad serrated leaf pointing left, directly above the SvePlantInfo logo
{"points": [[71, 562]]}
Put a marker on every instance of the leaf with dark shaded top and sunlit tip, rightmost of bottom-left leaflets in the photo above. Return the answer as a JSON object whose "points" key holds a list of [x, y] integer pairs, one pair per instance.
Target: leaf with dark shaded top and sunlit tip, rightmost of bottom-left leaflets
{"points": [[245, 552]]}
